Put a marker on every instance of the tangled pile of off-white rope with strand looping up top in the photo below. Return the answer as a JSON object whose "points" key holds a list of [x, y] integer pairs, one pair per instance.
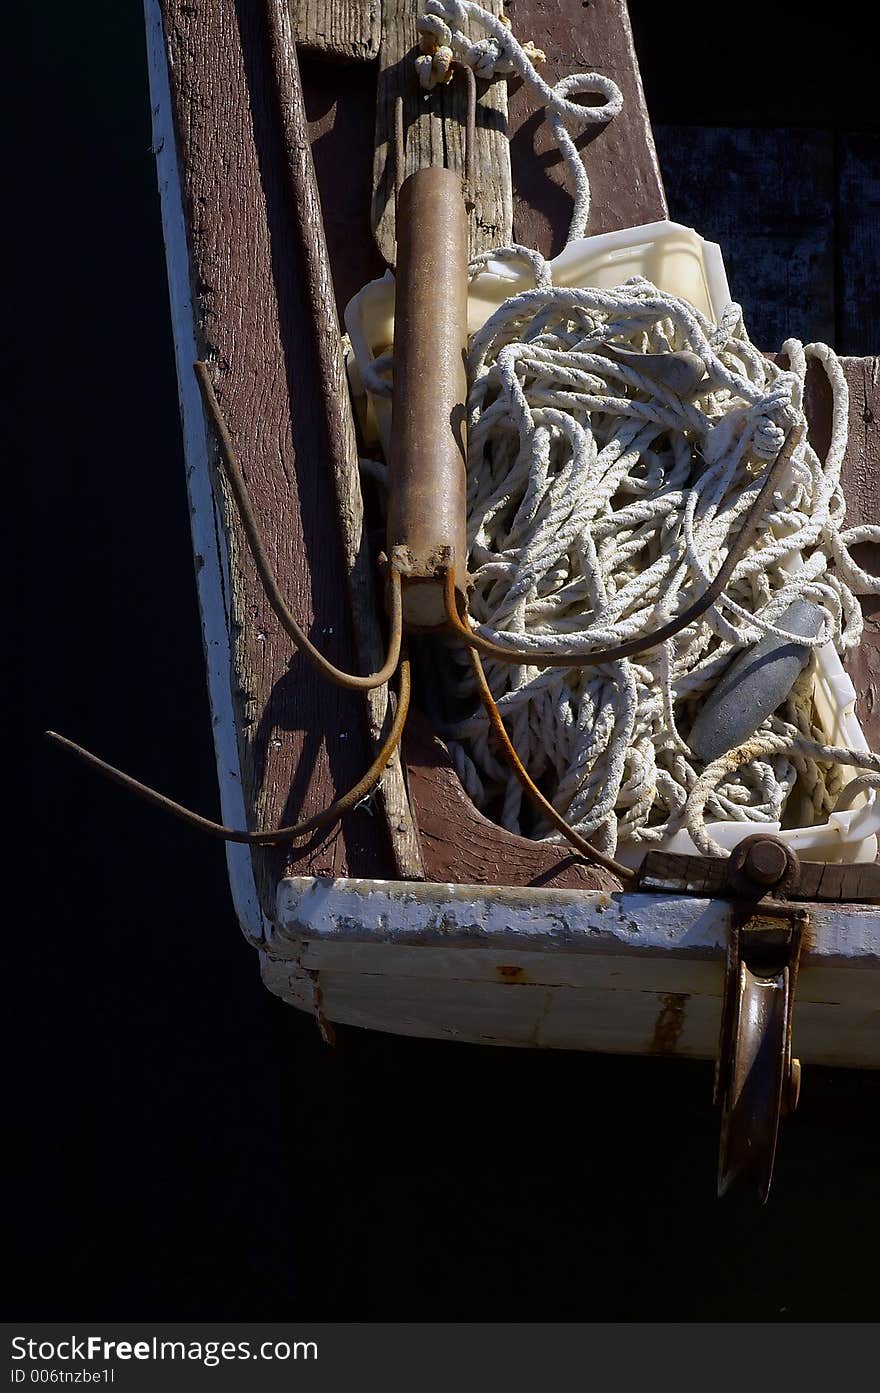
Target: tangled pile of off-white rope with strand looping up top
{"points": [[601, 504]]}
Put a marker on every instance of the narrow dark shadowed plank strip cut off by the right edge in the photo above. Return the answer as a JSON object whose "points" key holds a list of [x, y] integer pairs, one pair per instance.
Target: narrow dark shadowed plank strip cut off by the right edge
{"points": [[858, 313]]}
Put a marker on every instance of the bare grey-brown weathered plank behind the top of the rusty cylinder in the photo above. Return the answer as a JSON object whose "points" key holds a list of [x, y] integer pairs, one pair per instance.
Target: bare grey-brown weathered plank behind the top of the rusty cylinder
{"points": [[434, 130]]}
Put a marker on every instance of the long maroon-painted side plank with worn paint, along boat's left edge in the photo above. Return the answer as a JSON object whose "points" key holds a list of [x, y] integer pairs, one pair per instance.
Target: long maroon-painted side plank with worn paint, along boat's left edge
{"points": [[301, 740]]}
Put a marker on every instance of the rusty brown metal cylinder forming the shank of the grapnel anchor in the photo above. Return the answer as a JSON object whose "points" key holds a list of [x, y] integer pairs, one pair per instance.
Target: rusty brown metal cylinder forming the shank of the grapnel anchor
{"points": [[427, 529]]}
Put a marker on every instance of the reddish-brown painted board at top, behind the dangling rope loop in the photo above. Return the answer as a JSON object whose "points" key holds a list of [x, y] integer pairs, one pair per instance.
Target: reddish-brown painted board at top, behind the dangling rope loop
{"points": [[620, 158]]}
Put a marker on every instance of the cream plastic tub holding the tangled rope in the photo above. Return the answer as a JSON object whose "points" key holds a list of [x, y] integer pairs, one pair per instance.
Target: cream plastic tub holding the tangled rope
{"points": [[680, 261]]}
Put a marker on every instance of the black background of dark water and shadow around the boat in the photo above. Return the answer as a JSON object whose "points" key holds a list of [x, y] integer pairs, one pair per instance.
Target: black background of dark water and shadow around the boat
{"points": [[183, 1146]]}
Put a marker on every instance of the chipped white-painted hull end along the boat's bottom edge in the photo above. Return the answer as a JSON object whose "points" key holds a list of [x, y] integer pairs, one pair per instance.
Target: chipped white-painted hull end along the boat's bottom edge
{"points": [[556, 969]]}
